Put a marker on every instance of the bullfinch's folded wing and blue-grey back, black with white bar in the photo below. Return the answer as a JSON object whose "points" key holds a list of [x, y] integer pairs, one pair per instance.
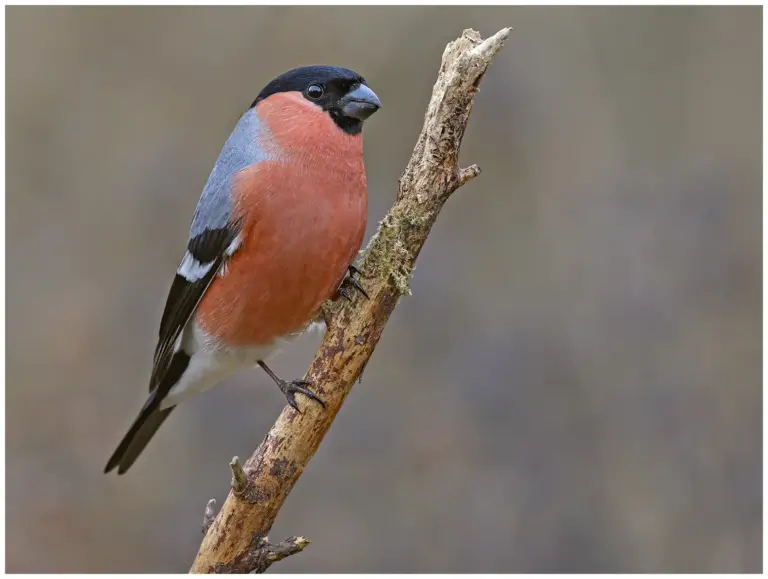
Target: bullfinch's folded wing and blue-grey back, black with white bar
{"points": [[213, 238]]}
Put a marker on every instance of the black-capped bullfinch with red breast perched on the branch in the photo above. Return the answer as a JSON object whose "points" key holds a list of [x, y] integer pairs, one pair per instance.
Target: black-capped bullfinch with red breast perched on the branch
{"points": [[274, 235]]}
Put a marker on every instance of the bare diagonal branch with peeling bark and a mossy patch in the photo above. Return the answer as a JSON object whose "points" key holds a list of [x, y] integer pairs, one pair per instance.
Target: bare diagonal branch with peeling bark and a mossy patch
{"points": [[236, 539]]}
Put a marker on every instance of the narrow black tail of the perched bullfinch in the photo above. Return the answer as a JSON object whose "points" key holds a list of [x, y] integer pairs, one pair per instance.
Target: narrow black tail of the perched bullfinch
{"points": [[149, 420]]}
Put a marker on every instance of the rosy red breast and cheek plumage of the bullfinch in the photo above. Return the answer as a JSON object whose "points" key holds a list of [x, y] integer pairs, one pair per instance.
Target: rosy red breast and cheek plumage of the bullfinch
{"points": [[304, 217]]}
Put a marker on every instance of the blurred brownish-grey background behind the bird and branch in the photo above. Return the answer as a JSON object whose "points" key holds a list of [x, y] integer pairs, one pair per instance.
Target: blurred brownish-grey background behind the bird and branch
{"points": [[574, 385]]}
